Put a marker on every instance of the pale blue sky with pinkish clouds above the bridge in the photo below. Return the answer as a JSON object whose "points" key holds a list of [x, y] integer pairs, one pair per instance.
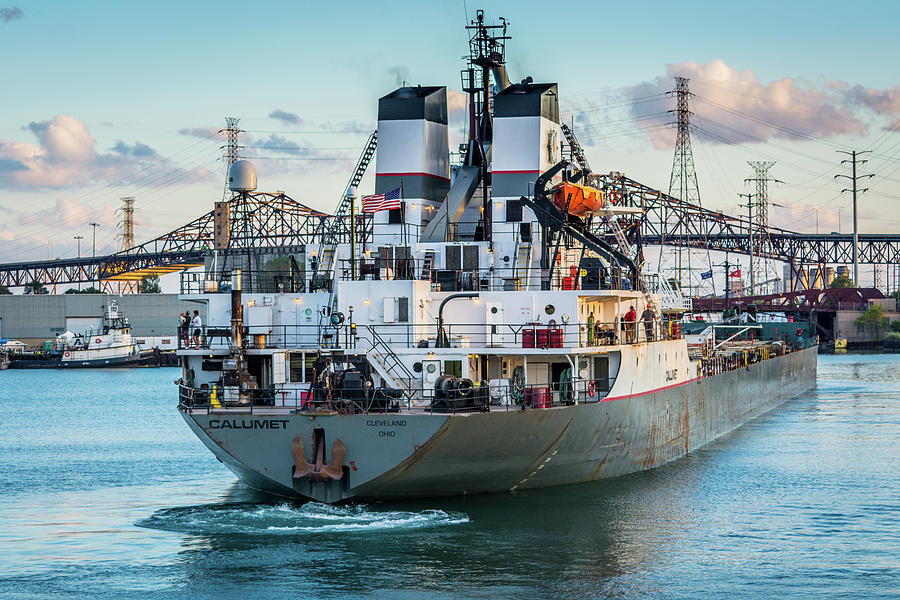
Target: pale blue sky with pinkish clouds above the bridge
{"points": [[103, 100]]}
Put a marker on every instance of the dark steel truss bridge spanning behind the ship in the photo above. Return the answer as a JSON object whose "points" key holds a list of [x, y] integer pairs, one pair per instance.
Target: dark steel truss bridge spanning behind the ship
{"points": [[263, 220]]}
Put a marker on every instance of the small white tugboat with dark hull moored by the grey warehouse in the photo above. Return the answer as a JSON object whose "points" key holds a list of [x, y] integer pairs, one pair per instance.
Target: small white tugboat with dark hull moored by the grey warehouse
{"points": [[111, 346]]}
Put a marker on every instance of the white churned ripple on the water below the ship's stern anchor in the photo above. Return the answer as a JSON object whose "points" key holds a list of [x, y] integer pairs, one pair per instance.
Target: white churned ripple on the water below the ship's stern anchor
{"points": [[288, 518]]}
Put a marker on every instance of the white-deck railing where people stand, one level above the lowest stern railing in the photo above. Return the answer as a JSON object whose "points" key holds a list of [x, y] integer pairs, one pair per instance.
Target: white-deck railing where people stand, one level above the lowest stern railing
{"points": [[361, 336]]}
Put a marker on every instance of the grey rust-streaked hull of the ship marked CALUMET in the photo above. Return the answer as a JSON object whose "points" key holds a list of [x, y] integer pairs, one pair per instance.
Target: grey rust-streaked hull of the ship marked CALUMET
{"points": [[397, 456]]}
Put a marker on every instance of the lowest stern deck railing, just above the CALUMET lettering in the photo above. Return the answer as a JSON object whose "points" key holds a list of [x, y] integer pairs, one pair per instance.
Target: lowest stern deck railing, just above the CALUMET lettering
{"points": [[498, 395]]}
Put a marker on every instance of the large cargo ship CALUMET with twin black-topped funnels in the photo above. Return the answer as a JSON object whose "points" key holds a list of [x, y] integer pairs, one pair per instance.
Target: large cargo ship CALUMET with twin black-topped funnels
{"points": [[482, 326]]}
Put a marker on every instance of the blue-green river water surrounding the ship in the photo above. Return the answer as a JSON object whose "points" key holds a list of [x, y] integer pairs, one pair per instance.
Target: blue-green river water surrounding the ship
{"points": [[104, 492]]}
